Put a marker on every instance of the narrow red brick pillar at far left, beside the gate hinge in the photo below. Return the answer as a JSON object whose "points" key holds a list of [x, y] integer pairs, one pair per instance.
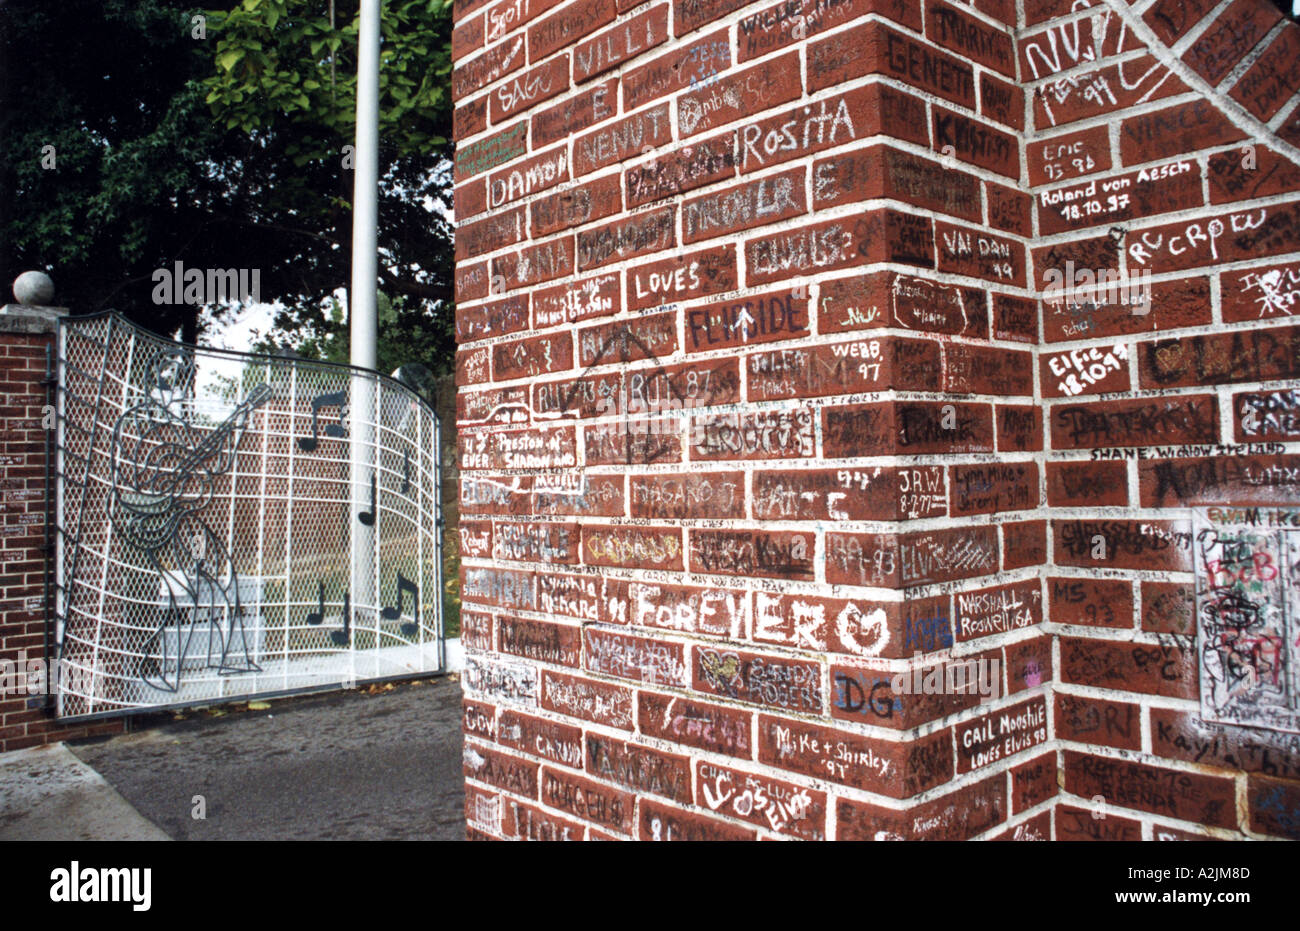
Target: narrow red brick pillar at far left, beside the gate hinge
{"points": [[27, 716]]}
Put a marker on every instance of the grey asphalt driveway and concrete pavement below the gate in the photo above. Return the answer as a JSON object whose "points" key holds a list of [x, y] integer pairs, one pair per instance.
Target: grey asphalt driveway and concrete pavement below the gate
{"points": [[340, 767]]}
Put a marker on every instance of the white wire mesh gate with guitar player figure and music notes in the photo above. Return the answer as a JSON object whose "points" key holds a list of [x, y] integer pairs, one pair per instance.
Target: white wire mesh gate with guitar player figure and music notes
{"points": [[235, 525]]}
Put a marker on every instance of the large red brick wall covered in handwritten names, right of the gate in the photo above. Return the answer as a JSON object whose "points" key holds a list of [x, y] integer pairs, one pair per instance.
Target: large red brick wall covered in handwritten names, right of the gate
{"points": [[770, 393]]}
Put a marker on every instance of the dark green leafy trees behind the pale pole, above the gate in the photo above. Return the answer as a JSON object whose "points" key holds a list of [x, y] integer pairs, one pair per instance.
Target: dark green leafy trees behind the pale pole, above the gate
{"points": [[220, 142]]}
